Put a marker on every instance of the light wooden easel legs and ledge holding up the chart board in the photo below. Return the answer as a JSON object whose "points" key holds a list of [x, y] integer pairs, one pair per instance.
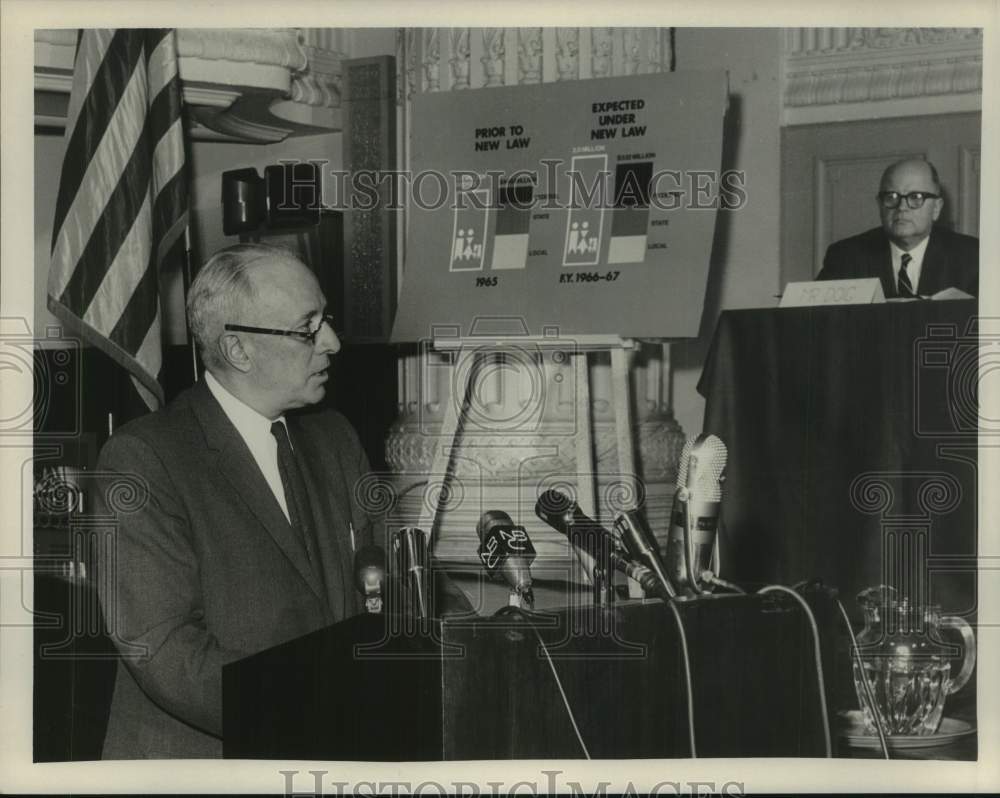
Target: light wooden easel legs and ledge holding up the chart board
{"points": [[456, 413]]}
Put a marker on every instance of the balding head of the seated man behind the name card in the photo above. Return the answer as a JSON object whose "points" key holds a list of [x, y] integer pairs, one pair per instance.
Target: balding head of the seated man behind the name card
{"points": [[906, 227]]}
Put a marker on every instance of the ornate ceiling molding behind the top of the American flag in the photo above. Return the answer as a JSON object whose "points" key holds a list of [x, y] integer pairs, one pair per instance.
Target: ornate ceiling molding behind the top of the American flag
{"points": [[257, 86]]}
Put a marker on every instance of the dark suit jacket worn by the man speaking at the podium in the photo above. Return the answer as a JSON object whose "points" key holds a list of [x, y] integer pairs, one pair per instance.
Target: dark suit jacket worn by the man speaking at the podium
{"points": [[205, 567]]}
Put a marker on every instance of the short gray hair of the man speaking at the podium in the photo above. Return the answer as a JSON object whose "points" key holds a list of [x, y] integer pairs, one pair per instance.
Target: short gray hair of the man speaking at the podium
{"points": [[222, 291]]}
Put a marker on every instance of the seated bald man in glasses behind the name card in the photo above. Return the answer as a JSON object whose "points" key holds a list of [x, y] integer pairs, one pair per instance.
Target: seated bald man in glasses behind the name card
{"points": [[908, 253]]}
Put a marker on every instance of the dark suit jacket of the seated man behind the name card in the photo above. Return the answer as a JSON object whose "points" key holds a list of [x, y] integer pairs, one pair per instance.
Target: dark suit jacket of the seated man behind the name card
{"points": [[951, 260]]}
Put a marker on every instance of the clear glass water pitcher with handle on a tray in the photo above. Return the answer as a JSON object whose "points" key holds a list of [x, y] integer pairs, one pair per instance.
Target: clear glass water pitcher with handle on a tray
{"points": [[907, 663]]}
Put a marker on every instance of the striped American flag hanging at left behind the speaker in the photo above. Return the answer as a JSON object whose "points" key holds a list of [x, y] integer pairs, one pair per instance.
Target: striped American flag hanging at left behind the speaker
{"points": [[121, 213]]}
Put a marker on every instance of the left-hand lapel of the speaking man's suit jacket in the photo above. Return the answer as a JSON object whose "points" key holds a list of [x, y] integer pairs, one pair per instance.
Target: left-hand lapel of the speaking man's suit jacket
{"points": [[237, 465]]}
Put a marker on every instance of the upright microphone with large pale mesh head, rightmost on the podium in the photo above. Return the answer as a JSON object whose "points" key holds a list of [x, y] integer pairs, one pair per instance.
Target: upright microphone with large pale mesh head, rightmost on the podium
{"points": [[695, 516]]}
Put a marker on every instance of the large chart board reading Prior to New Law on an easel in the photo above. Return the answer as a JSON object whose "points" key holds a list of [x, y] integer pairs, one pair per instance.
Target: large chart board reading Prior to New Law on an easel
{"points": [[586, 206]]}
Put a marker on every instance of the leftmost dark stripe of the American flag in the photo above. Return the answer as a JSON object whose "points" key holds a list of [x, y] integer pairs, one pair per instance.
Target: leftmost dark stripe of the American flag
{"points": [[109, 83]]}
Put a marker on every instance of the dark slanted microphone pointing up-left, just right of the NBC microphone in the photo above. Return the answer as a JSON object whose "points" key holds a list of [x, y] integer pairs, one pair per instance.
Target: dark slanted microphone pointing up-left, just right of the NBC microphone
{"points": [[565, 516]]}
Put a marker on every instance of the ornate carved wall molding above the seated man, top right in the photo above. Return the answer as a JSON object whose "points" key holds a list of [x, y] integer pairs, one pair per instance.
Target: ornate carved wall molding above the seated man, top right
{"points": [[832, 74]]}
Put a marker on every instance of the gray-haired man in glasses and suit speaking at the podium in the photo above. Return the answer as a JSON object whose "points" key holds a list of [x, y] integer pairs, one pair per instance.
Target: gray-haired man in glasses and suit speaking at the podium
{"points": [[247, 535]]}
